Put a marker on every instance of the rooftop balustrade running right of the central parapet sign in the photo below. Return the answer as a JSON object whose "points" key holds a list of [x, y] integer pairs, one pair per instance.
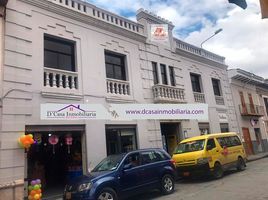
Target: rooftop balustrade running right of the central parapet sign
{"points": [[199, 51]]}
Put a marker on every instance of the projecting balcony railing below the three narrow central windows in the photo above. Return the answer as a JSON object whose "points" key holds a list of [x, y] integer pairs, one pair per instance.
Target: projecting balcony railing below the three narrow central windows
{"points": [[167, 93]]}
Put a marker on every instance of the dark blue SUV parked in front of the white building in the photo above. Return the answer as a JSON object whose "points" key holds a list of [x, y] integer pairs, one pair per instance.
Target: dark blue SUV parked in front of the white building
{"points": [[120, 176]]}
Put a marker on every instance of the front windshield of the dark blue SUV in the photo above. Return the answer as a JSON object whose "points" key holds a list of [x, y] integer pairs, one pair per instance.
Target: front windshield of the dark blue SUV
{"points": [[109, 164]]}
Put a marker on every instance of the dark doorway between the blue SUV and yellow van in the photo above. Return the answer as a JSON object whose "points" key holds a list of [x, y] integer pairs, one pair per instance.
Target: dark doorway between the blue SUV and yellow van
{"points": [[170, 136]]}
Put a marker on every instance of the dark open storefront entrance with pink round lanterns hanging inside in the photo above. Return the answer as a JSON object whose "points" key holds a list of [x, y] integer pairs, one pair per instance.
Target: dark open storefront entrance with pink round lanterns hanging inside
{"points": [[55, 158]]}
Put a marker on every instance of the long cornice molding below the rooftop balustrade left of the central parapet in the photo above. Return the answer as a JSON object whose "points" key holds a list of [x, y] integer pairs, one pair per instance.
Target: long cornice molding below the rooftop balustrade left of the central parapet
{"points": [[75, 15]]}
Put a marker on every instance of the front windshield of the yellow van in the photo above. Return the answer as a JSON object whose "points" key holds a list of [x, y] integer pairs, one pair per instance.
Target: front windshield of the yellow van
{"points": [[190, 146]]}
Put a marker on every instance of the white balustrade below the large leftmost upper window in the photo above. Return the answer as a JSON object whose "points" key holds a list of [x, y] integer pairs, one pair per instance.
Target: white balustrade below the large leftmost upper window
{"points": [[55, 78]]}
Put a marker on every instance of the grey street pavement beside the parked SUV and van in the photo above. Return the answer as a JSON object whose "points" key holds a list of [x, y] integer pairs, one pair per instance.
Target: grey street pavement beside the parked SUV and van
{"points": [[246, 185]]}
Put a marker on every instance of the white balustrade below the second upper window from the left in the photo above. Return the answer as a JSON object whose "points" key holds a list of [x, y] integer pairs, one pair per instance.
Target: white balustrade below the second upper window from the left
{"points": [[117, 87]]}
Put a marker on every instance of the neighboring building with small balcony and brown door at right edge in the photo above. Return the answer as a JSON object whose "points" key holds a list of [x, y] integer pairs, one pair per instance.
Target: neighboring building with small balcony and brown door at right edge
{"points": [[250, 94]]}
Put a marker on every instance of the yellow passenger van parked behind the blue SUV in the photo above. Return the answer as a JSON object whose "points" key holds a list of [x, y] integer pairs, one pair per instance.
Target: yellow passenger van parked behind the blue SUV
{"points": [[209, 154]]}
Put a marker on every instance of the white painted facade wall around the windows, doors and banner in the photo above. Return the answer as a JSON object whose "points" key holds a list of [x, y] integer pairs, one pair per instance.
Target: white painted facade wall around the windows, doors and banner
{"points": [[26, 25]]}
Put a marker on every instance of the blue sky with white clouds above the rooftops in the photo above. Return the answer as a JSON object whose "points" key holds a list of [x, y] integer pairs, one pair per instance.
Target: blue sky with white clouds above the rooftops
{"points": [[243, 41]]}
